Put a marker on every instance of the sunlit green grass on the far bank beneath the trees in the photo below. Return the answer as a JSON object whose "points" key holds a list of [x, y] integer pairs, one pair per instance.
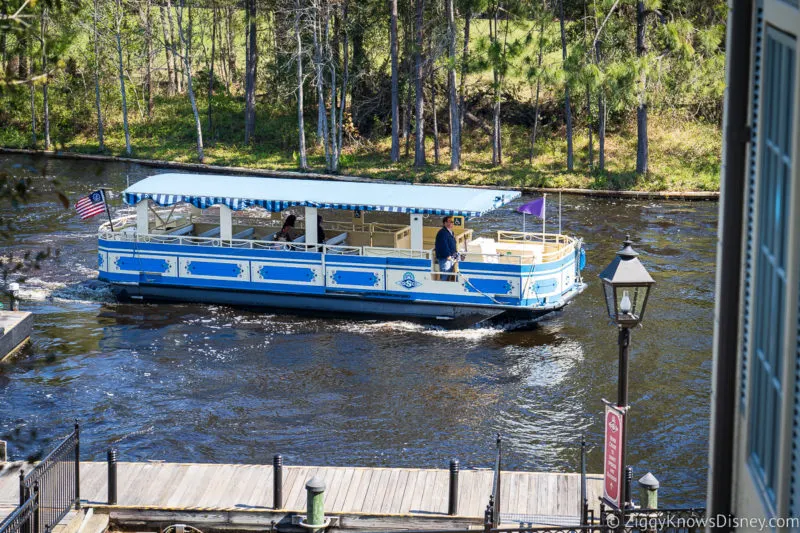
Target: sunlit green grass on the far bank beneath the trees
{"points": [[684, 154]]}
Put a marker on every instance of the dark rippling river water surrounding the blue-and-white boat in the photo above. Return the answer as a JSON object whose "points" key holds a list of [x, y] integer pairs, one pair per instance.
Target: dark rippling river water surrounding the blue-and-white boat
{"points": [[198, 383]]}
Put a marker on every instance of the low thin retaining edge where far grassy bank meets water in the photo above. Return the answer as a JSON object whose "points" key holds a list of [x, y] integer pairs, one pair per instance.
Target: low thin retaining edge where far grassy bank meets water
{"points": [[665, 195]]}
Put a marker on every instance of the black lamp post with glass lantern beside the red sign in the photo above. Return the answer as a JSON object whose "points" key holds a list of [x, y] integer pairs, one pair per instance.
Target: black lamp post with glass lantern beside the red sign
{"points": [[626, 285]]}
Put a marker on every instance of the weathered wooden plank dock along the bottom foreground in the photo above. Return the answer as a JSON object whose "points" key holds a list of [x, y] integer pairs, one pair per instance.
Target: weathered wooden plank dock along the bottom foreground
{"points": [[241, 496]]}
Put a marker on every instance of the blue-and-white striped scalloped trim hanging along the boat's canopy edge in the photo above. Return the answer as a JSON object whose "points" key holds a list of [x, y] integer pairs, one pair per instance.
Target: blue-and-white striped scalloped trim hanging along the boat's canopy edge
{"points": [[237, 204]]}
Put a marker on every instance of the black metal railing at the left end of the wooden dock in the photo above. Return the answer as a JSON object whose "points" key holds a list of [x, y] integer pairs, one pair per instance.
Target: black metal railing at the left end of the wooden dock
{"points": [[57, 477]]}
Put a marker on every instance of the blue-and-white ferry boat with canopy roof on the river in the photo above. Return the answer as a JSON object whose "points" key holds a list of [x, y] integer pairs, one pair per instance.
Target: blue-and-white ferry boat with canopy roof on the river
{"points": [[211, 238]]}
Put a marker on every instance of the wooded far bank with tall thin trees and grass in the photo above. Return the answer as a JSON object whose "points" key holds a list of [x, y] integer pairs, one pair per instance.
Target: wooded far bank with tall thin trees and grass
{"points": [[606, 94]]}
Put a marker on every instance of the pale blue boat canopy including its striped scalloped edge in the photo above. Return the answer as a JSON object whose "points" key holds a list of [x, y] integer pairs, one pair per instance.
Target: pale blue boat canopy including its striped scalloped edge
{"points": [[277, 194]]}
